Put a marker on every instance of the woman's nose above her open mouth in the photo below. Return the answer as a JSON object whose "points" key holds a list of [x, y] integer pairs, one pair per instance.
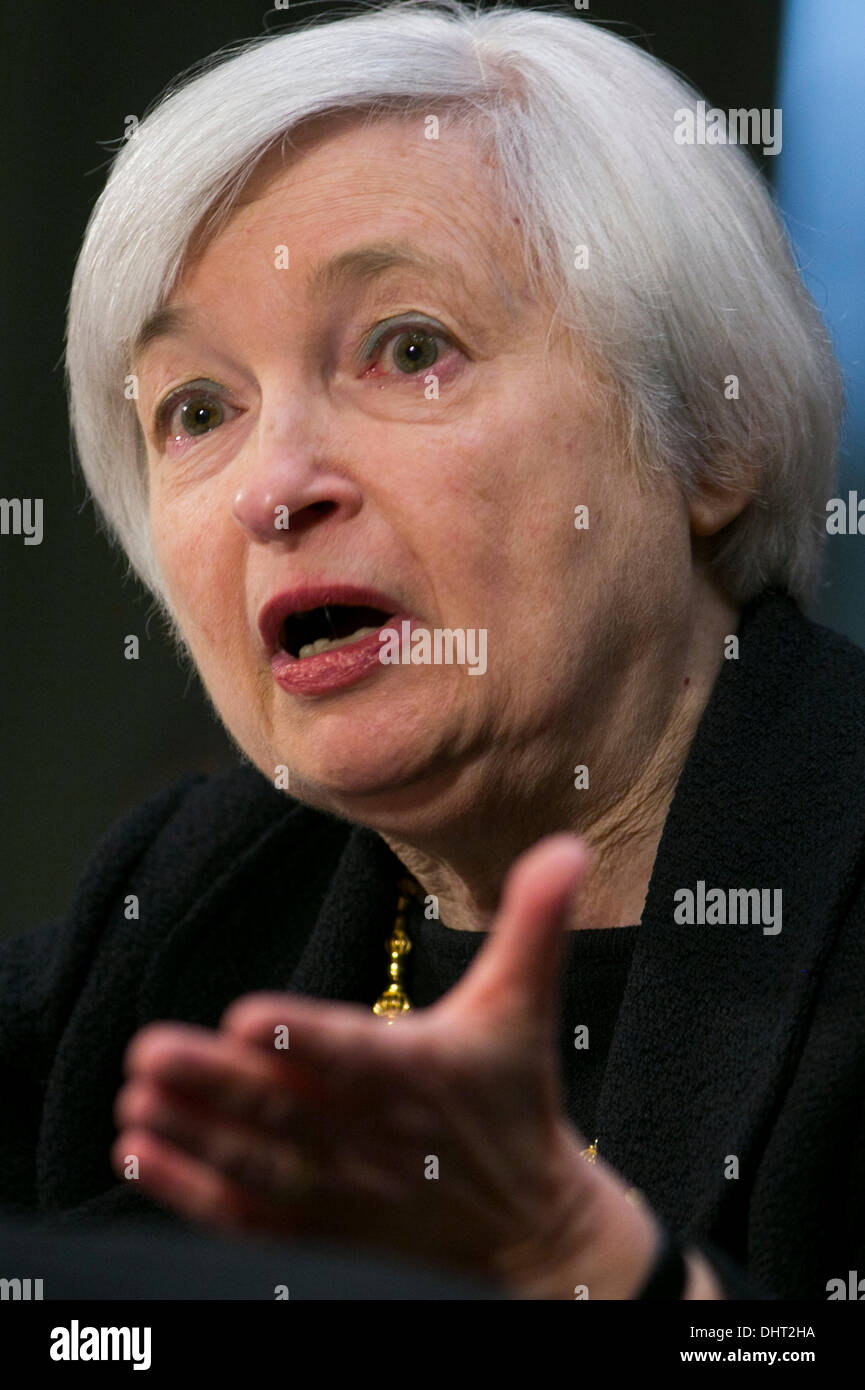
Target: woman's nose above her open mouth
{"points": [[290, 484]]}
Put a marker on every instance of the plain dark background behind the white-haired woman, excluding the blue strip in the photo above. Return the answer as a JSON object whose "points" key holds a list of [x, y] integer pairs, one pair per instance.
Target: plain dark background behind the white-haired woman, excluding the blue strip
{"points": [[87, 733]]}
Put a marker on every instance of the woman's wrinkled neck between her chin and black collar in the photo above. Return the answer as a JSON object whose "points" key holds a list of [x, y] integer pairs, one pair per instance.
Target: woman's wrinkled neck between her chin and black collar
{"points": [[465, 862]]}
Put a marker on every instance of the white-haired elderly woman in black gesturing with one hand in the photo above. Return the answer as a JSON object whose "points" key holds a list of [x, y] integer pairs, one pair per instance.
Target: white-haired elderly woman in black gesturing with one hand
{"points": [[475, 436]]}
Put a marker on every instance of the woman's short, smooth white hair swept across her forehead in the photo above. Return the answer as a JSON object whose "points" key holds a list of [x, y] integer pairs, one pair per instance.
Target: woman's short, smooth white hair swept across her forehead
{"points": [[690, 277]]}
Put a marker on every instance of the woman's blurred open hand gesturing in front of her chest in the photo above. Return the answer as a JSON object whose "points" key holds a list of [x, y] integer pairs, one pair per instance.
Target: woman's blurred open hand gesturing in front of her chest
{"points": [[439, 1138]]}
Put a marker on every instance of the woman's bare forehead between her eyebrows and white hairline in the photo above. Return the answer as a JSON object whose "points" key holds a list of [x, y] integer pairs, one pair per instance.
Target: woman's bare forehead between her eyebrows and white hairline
{"points": [[343, 181]]}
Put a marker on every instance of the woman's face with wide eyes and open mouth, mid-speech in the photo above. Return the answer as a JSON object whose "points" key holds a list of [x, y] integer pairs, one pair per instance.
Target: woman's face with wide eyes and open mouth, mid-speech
{"points": [[319, 452]]}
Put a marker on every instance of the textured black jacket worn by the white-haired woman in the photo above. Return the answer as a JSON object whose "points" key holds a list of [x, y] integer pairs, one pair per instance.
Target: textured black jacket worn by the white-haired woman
{"points": [[731, 1042]]}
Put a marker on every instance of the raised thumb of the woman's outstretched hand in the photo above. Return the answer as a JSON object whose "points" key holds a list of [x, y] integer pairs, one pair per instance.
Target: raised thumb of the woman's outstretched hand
{"points": [[518, 974]]}
